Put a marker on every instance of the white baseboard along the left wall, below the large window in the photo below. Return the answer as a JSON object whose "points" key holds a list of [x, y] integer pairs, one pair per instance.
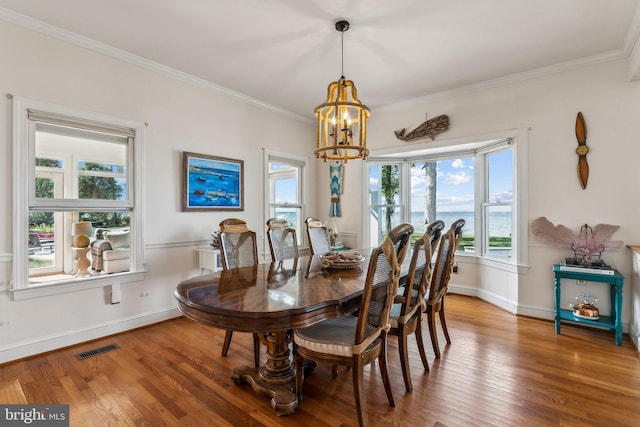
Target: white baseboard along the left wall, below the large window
{"points": [[71, 337]]}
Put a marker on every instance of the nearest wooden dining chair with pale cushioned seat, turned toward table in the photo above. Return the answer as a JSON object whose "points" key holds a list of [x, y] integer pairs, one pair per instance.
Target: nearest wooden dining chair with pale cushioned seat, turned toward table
{"points": [[357, 341]]}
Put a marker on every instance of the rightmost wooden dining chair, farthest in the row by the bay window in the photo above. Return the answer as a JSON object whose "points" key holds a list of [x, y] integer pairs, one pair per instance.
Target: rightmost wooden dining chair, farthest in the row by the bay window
{"points": [[439, 287]]}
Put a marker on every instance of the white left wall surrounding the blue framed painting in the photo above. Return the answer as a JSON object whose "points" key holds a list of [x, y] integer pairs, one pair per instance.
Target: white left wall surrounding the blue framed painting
{"points": [[181, 117]]}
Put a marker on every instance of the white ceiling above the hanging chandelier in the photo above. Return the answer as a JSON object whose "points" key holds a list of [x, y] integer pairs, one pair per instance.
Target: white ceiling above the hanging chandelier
{"points": [[284, 53]]}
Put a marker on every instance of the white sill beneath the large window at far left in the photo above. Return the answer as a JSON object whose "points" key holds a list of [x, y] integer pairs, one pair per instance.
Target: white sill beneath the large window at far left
{"points": [[76, 284]]}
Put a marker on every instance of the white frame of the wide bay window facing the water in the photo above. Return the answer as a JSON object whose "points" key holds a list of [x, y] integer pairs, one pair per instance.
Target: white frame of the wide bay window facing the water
{"points": [[477, 146]]}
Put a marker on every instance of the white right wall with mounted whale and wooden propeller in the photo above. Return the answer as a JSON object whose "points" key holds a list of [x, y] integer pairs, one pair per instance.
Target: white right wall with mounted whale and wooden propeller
{"points": [[547, 106]]}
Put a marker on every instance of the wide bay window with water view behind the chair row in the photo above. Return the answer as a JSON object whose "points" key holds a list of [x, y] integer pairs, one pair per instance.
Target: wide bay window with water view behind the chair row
{"points": [[476, 181]]}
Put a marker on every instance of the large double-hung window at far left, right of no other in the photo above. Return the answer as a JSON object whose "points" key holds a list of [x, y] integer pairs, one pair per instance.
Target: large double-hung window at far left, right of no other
{"points": [[70, 167]]}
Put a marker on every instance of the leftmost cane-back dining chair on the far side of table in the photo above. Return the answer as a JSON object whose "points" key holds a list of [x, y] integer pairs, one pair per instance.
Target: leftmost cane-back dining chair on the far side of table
{"points": [[238, 248]]}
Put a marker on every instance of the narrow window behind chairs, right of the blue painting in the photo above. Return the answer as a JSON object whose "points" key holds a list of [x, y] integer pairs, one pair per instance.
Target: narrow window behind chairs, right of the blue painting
{"points": [[284, 190]]}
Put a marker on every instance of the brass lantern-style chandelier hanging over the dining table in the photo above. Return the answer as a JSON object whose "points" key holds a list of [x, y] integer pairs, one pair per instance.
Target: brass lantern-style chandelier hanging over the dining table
{"points": [[342, 119]]}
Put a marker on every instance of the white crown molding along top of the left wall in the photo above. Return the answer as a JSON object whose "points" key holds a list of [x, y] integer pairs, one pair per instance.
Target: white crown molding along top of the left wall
{"points": [[88, 43]]}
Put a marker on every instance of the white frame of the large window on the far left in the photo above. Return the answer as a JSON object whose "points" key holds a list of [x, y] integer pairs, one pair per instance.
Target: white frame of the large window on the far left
{"points": [[24, 197]]}
